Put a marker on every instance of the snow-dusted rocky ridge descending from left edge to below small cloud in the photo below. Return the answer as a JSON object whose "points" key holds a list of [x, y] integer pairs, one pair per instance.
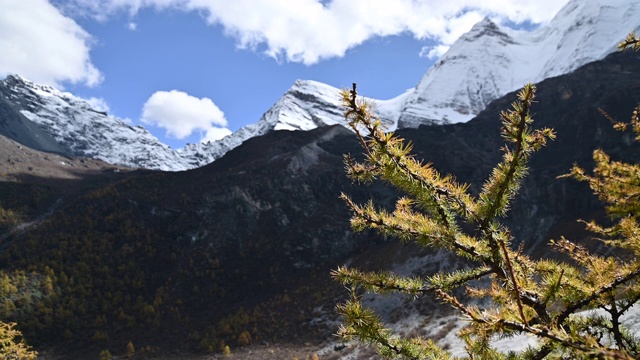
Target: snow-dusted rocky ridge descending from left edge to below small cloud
{"points": [[83, 131]]}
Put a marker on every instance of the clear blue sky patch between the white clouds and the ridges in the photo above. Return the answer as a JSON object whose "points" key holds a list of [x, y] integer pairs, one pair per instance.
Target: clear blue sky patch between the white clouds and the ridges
{"points": [[173, 50]]}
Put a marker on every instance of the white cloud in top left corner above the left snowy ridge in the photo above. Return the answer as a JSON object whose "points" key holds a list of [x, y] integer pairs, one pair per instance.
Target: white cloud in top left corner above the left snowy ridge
{"points": [[41, 44]]}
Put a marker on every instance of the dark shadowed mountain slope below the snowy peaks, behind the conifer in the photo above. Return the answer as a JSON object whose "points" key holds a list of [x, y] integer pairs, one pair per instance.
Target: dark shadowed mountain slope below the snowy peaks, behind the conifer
{"points": [[195, 259]]}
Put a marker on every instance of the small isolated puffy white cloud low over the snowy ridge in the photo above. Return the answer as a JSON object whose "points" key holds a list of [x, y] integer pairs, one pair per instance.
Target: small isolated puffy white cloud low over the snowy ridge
{"points": [[182, 114]]}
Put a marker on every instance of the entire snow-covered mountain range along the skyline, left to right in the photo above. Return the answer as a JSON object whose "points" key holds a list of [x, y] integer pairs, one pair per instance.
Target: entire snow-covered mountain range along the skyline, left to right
{"points": [[484, 64]]}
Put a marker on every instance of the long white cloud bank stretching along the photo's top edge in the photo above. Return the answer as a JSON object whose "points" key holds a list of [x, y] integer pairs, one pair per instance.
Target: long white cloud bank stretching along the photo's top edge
{"points": [[308, 31]]}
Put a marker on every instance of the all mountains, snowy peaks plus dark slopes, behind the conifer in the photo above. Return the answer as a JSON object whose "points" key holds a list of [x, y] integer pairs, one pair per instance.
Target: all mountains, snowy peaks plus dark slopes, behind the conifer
{"points": [[114, 237]]}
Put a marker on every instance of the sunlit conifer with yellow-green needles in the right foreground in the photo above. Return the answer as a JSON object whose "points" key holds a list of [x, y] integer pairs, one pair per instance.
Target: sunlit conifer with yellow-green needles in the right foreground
{"points": [[545, 298]]}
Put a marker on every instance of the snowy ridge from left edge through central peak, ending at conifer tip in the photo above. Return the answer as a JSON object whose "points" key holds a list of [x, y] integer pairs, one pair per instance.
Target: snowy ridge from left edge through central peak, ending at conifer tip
{"points": [[80, 130]]}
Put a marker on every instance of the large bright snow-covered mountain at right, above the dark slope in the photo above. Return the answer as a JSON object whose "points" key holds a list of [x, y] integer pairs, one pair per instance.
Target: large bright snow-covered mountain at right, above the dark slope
{"points": [[491, 60]]}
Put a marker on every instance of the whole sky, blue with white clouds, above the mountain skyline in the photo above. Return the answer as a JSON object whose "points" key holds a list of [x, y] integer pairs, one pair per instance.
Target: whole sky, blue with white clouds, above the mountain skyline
{"points": [[191, 70]]}
